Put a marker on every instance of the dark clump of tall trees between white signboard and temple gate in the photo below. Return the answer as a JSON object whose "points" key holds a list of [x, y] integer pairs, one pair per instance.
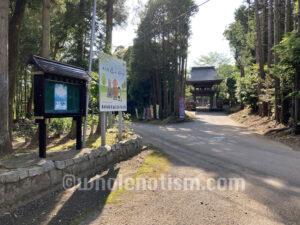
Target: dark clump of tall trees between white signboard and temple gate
{"points": [[158, 59]]}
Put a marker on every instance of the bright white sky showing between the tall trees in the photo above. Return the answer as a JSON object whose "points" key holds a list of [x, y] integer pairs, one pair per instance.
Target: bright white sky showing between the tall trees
{"points": [[208, 26]]}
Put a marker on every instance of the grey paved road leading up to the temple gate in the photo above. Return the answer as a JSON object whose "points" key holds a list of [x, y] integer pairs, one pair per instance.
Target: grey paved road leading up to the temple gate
{"points": [[215, 146]]}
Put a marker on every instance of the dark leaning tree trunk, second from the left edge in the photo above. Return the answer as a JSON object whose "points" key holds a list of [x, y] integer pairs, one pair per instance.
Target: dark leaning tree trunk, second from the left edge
{"points": [[13, 54]]}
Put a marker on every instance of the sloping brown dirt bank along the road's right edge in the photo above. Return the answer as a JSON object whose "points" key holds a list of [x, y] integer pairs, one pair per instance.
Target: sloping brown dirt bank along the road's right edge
{"points": [[267, 127]]}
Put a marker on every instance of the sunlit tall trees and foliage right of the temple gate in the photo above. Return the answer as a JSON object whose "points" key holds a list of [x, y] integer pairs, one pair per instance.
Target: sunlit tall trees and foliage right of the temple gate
{"points": [[265, 42]]}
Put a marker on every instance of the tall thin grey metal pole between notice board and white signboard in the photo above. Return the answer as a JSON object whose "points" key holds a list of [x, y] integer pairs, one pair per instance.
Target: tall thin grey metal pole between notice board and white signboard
{"points": [[90, 70]]}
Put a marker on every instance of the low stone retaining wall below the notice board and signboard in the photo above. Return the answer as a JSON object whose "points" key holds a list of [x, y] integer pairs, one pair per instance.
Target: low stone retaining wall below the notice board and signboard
{"points": [[18, 183]]}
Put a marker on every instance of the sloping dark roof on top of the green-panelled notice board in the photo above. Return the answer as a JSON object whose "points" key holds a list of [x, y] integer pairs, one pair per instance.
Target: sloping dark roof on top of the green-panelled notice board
{"points": [[57, 68]]}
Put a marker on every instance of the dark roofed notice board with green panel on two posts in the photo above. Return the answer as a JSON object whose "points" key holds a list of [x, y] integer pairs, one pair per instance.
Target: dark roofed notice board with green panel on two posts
{"points": [[51, 71]]}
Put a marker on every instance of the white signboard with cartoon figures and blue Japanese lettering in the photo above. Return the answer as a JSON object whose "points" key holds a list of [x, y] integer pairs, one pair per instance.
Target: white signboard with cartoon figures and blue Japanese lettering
{"points": [[112, 84]]}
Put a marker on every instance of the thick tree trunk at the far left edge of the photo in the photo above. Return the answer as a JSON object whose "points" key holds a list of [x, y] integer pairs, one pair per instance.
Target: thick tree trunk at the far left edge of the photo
{"points": [[5, 144]]}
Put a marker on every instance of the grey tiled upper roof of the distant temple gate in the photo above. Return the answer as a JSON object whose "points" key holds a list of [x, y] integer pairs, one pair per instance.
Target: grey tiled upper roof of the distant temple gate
{"points": [[204, 74]]}
